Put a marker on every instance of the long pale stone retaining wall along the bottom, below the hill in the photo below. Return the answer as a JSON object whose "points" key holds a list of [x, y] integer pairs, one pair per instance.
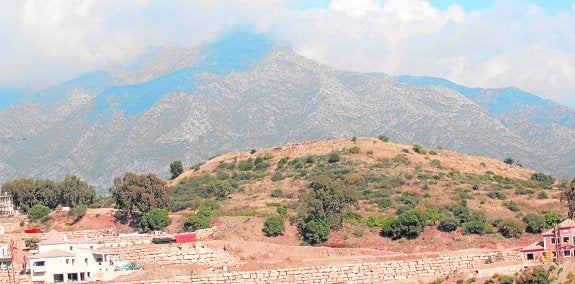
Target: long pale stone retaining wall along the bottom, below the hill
{"points": [[371, 272]]}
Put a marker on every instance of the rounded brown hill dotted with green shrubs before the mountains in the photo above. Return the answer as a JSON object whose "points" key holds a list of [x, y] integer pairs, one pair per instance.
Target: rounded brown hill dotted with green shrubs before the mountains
{"points": [[388, 177]]}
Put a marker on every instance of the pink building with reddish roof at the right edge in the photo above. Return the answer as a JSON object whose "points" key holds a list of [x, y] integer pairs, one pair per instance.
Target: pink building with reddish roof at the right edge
{"points": [[563, 239]]}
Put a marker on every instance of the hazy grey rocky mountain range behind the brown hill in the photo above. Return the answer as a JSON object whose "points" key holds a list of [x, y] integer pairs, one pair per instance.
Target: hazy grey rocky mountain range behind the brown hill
{"points": [[246, 91]]}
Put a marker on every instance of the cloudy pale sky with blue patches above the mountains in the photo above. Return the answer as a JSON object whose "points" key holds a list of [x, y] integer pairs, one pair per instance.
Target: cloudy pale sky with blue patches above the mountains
{"points": [[529, 44]]}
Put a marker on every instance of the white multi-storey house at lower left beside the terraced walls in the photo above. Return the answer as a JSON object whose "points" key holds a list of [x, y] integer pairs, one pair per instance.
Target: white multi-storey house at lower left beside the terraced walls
{"points": [[60, 259]]}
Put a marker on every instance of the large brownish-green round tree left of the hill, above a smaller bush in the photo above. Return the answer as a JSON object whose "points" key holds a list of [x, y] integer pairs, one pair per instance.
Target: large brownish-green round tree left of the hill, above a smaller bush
{"points": [[140, 193]]}
